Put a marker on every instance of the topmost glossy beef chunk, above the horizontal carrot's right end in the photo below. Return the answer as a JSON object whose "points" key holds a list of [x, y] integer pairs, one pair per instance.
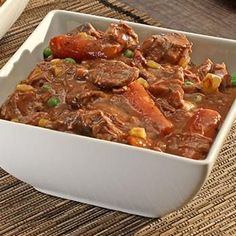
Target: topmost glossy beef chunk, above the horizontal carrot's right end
{"points": [[123, 34]]}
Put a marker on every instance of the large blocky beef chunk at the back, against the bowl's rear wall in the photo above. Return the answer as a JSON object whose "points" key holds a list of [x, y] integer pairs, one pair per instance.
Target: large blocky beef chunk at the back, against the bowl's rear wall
{"points": [[172, 48]]}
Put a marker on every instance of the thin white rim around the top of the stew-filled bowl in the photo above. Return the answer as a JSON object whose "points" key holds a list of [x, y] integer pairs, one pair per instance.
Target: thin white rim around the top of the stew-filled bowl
{"points": [[217, 142]]}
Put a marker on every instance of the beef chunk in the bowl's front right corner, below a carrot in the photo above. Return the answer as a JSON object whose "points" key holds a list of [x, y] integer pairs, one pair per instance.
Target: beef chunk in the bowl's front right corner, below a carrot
{"points": [[194, 146]]}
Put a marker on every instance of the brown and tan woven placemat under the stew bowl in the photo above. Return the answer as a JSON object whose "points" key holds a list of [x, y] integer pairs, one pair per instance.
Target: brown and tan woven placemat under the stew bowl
{"points": [[24, 211]]}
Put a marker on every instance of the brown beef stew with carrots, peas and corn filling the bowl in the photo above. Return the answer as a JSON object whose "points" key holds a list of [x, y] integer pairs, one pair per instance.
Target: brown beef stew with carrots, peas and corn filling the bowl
{"points": [[108, 85]]}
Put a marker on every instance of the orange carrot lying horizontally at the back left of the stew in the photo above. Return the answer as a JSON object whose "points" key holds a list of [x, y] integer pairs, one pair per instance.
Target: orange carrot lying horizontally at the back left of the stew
{"points": [[82, 48]]}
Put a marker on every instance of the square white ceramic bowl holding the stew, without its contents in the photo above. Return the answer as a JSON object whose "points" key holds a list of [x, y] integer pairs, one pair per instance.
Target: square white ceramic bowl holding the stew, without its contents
{"points": [[98, 172]]}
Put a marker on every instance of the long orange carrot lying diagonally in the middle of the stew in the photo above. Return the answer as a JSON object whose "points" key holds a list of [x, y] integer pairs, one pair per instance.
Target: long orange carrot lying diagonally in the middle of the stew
{"points": [[140, 100]]}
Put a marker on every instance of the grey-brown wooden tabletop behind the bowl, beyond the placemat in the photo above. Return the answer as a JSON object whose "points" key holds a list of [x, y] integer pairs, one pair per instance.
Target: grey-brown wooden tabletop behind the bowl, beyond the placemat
{"points": [[212, 17]]}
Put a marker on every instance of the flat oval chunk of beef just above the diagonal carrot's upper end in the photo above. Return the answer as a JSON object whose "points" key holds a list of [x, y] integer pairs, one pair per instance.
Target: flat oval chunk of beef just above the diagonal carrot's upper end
{"points": [[111, 74]]}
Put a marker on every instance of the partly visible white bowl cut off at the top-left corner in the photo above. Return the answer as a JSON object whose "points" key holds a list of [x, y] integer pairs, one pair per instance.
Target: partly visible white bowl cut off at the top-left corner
{"points": [[9, 13]]}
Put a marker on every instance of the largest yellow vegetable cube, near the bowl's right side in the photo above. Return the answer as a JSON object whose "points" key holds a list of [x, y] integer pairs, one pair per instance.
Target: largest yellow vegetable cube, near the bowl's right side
{"points": [[211, 82]]}
